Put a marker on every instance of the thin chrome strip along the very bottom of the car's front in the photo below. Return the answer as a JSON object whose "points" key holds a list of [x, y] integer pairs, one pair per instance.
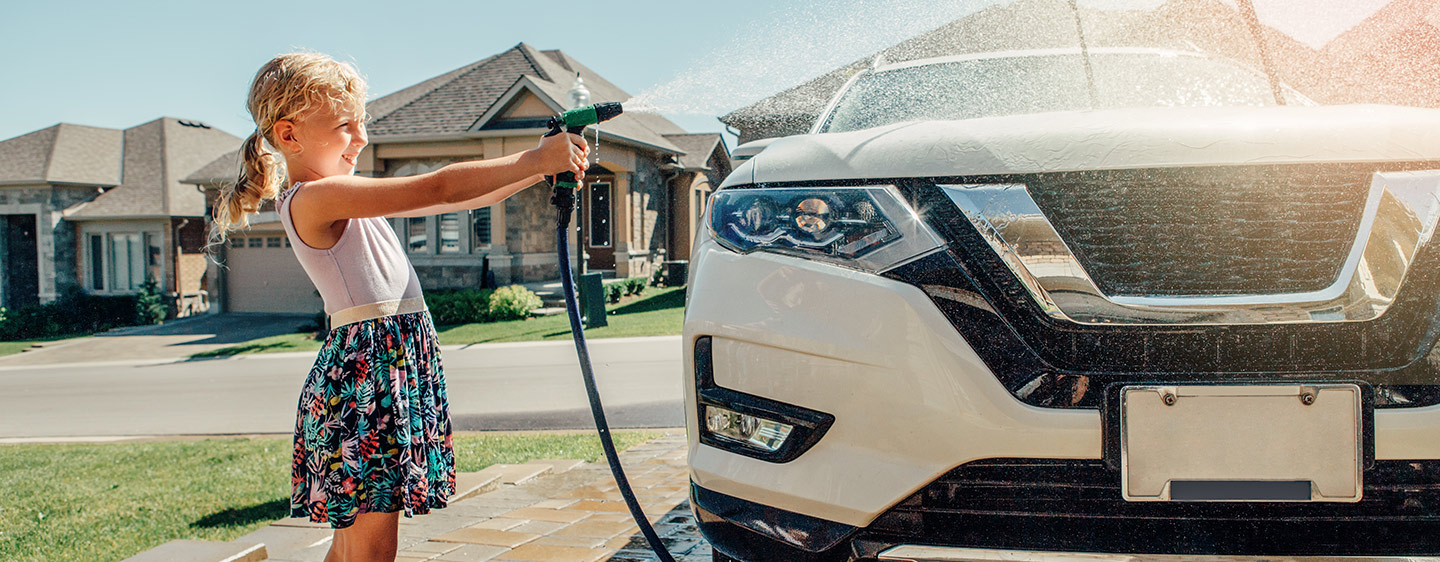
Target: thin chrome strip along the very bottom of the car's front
{"points": [[953, 554]]}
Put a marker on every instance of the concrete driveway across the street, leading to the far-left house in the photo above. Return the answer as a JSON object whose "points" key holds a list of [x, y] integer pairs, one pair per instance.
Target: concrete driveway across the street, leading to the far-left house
{"points": [[174, 339]]}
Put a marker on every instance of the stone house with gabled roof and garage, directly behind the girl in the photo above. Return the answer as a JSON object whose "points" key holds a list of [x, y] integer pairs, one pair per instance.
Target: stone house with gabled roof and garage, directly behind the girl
{"points": [[642, 201]]}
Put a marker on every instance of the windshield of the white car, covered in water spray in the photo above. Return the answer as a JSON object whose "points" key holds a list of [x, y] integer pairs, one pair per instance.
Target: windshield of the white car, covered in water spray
{"points": [[1012, 86]]}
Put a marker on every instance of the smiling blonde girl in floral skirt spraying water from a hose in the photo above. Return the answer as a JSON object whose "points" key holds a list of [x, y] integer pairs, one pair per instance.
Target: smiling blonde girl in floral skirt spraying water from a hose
{"points": [[372, 432]]}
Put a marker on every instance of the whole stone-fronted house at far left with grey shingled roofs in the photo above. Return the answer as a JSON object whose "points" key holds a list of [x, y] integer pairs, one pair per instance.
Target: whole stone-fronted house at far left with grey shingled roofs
{"points": [[104, 210]]}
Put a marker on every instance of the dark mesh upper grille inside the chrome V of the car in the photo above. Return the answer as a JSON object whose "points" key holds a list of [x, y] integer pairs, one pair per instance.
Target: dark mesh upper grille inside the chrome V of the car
{"points": [[1207, 231]]}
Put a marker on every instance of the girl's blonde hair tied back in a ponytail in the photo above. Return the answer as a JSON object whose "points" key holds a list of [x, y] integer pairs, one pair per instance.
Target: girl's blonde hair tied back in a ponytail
{"points": [[289, 87]]}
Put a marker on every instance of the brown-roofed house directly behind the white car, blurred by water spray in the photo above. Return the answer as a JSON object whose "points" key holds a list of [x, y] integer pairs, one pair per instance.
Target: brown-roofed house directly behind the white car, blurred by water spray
{"points": [[1393, 57]]}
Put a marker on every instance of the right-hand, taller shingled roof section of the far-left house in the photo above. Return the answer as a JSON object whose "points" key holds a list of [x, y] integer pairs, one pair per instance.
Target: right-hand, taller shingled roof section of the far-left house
{"points": [[155, 158]]}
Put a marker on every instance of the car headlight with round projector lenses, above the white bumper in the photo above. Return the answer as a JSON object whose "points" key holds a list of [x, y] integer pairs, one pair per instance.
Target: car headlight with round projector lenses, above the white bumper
{"points": [[866, 228]]}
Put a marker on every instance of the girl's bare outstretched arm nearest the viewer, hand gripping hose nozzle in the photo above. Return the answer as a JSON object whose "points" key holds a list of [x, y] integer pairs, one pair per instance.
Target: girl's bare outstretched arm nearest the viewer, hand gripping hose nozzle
{"points": [[467, 185]]}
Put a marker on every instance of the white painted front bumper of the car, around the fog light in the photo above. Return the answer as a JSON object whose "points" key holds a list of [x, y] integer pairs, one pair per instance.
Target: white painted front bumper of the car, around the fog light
{"points": [[912, 400]]}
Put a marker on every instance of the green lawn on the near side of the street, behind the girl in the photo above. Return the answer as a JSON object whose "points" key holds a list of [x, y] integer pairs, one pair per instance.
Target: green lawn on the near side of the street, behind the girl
{"points": [[107, 502]]}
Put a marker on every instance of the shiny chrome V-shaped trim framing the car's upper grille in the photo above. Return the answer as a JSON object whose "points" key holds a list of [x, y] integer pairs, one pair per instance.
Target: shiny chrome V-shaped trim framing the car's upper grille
{"points": [[1399, 218]]}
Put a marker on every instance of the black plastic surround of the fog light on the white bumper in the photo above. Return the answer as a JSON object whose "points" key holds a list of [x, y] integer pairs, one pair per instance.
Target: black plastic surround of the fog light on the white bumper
{"points": [[809, 427]]}
